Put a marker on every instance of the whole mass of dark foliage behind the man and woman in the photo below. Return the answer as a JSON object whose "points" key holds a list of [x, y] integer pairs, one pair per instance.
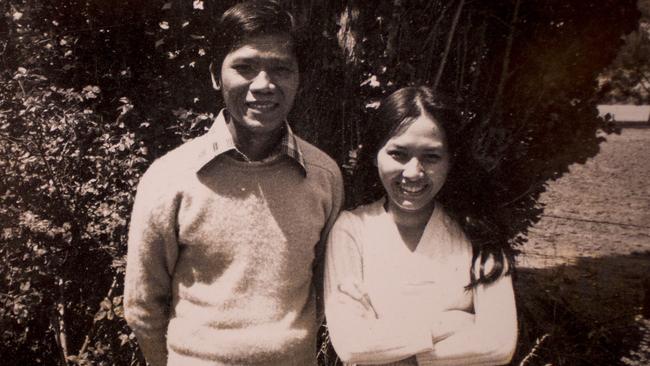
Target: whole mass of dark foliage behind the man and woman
{"points": [[92, 91]]}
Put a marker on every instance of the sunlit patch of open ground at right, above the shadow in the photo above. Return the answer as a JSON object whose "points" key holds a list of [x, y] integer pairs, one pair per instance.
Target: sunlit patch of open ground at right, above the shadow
{"points": [[601, 208]]}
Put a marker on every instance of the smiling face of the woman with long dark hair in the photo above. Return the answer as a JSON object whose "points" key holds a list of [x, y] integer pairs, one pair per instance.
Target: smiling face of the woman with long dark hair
{"points": [[413, 166]]}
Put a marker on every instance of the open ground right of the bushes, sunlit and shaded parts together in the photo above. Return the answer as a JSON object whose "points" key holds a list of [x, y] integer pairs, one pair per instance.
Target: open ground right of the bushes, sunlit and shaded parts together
{"points": [[580, 283]]}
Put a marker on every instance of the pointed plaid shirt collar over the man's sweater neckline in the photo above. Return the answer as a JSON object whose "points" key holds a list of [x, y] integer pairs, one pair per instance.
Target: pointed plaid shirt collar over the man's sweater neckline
{"points": [[219, 141]]}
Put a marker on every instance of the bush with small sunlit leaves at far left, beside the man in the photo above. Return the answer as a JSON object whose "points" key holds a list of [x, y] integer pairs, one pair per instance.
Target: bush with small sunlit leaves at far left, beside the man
{"points": [[65, 199]]}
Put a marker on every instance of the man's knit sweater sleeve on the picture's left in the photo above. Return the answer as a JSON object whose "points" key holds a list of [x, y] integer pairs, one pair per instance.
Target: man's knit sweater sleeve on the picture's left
{"points": [[152, 251]]}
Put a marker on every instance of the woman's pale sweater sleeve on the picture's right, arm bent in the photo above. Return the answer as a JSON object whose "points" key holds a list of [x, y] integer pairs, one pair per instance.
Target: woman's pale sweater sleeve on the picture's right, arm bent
{"points": [[491, 339]]}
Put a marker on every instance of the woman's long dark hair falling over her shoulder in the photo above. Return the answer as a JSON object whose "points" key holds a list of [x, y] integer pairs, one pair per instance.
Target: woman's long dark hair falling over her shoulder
{"points": [[394, 115]]}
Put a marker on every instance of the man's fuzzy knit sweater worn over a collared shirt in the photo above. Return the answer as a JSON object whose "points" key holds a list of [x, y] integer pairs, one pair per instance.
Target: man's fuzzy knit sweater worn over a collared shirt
{"points": [[219, 266]]}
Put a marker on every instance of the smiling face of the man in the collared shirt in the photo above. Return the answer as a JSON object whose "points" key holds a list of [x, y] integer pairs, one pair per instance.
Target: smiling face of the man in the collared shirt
{"points": [[259, 81]]}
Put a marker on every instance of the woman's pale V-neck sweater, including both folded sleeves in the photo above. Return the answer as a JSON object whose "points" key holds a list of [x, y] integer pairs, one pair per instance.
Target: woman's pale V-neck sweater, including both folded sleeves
{"points": [[408, 295]]}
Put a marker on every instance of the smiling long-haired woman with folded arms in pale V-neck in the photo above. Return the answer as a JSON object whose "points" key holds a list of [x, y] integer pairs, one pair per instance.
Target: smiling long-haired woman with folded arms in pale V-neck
{"points": [[401, 284]]}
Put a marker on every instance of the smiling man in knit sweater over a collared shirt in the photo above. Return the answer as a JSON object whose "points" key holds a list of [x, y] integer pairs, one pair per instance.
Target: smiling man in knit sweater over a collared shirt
{"points": [[227, 228]]}
